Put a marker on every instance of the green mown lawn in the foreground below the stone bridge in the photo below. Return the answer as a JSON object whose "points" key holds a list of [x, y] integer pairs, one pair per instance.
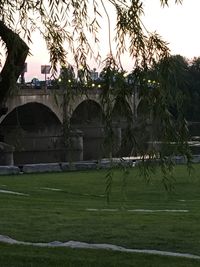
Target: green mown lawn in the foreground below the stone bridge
{"points": [[72, 206]]}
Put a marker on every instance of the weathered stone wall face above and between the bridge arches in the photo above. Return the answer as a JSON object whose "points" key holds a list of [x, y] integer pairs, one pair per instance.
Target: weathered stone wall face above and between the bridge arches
{"points": [[53, 99]]}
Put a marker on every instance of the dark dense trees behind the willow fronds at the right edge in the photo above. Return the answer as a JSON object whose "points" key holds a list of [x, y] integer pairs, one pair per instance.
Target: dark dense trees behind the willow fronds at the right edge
{"points": [[184, 78]]}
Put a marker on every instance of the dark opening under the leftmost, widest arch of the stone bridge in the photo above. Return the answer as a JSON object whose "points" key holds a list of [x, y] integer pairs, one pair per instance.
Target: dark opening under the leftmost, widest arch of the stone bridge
{"points": [[35, 132]]}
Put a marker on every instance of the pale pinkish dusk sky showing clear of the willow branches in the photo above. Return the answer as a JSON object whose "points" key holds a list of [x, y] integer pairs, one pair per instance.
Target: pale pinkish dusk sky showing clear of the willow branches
{"points": [[177, 24]]}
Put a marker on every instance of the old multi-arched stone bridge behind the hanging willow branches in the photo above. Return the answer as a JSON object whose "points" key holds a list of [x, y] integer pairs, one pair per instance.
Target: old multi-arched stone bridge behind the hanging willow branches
{"points": [[33, 125]]}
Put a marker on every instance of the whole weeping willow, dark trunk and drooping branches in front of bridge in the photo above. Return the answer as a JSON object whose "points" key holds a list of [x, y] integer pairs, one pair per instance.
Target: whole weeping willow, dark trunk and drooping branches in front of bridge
{"points": [[74, 26]]}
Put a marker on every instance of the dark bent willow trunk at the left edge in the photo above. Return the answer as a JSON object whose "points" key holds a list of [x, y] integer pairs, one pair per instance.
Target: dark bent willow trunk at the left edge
{"points": [[17, 51]]}
